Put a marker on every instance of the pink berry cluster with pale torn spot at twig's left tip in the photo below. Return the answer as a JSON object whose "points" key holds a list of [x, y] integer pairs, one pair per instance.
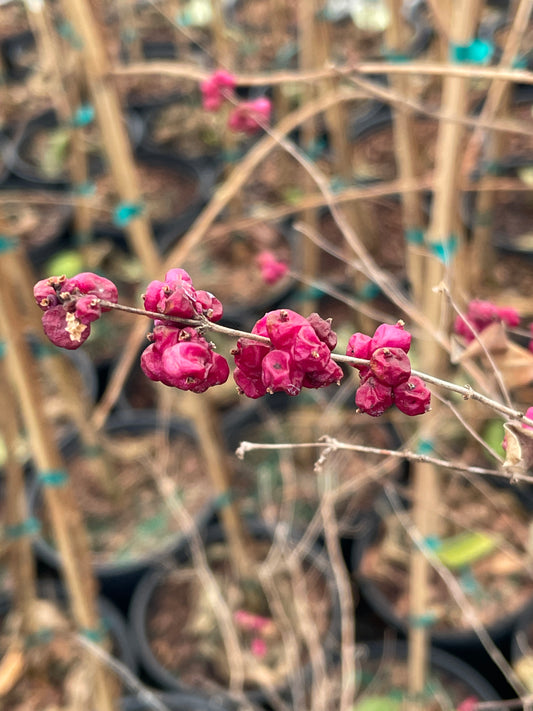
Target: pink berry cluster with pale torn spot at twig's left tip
{"points": [[71, 305]]}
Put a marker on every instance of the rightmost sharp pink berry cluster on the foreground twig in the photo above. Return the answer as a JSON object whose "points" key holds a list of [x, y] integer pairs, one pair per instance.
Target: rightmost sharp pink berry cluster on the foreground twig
{"points": [[387, 379]]}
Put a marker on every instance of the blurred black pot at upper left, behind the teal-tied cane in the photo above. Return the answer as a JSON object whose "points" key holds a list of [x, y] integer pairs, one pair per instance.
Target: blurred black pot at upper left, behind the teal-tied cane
{"points": [[32, 174]]}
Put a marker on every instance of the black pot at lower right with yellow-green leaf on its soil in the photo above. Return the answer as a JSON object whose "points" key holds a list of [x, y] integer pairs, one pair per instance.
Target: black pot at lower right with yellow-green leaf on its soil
{"points": [[460, 642]]}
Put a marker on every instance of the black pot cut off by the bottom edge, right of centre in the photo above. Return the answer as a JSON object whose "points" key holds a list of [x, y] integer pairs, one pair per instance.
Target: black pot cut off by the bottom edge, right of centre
{"points": [[448, 669]]}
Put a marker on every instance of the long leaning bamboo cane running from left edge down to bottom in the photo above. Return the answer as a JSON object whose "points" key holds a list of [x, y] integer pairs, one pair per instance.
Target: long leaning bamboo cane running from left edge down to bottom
{"points": [[64, 514]]}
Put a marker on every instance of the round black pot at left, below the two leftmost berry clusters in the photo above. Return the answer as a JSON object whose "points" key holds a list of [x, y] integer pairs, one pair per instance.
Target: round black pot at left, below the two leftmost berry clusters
{"points": [[118, 578]]}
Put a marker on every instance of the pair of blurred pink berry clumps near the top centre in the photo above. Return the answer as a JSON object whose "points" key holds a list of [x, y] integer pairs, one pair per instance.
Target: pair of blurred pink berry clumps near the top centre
{"points": [[247, 116]]}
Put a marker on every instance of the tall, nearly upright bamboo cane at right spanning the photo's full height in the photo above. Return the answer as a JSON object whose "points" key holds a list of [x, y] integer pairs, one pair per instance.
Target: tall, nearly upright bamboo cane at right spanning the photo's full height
{"points": [[443, 224]]}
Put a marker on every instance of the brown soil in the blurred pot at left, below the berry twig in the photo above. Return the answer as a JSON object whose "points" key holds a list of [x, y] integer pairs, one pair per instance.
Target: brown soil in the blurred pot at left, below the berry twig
{"points": [[130, 516]]}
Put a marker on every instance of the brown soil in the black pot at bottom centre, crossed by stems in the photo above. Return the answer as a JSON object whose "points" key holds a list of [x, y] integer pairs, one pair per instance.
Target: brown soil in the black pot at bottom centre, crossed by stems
{"points": [[184, 633]]}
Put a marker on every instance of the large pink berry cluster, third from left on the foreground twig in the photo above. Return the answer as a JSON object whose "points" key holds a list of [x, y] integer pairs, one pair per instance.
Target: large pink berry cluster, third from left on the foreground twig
{"points": [[298, 355]]}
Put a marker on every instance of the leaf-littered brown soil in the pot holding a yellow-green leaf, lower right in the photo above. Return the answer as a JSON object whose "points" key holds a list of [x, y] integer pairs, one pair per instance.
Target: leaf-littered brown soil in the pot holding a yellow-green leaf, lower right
{"points": [[497, 584]]}
